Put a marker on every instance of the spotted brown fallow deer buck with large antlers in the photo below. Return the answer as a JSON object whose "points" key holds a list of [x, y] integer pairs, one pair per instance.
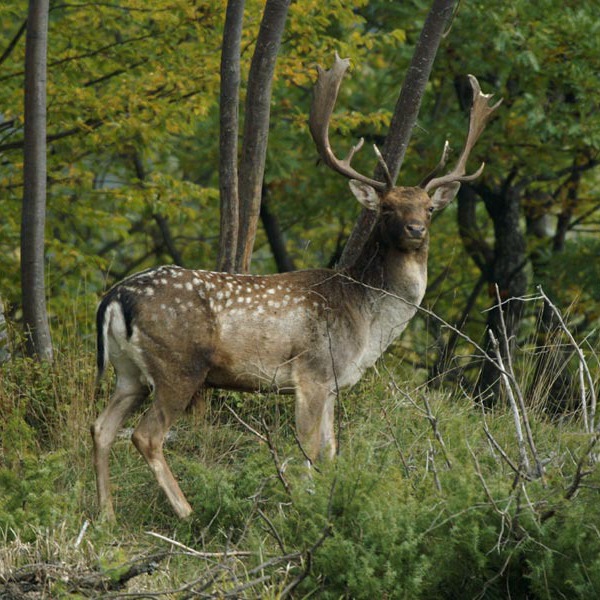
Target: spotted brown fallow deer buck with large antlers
{"points": [[172, 331]]}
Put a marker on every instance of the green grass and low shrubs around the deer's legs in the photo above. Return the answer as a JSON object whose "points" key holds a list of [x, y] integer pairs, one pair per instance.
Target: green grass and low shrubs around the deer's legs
{"points": [[402, 512]]}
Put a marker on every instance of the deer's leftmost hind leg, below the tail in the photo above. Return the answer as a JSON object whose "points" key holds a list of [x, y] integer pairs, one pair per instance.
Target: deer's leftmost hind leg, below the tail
{"points": [[129, 394]]}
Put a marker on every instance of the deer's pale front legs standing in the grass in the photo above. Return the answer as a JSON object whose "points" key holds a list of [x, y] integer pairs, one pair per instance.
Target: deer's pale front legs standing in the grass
{"points": [[315, 405]]}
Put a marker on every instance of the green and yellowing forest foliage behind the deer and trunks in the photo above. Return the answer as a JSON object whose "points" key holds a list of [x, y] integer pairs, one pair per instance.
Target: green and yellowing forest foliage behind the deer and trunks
{"points": [[133, 132]]}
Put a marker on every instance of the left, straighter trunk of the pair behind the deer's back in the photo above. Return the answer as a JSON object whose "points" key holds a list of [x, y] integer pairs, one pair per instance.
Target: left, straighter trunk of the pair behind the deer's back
{"points": [[228, 140]]}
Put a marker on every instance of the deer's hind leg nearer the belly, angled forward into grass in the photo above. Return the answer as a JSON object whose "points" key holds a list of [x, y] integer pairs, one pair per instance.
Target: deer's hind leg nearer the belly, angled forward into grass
{"points": [[148, 437]]}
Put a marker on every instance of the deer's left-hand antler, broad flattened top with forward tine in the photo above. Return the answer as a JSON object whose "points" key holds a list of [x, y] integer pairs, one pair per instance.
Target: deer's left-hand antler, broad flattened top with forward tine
{"points": [[325, 95]]}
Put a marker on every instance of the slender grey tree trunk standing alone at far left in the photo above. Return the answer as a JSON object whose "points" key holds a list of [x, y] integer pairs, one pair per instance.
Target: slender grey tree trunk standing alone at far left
{"points": [[35, 316]]}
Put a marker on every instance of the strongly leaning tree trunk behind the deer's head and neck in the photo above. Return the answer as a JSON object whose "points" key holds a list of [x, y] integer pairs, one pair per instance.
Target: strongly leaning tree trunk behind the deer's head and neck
{"points": [[404, 117]]}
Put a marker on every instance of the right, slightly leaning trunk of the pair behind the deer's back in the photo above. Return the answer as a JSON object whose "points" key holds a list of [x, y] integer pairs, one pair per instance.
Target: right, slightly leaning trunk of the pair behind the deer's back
{"points": [[256, 127]]}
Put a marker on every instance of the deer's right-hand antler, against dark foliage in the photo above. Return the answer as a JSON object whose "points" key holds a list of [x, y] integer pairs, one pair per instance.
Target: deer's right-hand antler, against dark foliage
{"points": [[481, 111]]}
